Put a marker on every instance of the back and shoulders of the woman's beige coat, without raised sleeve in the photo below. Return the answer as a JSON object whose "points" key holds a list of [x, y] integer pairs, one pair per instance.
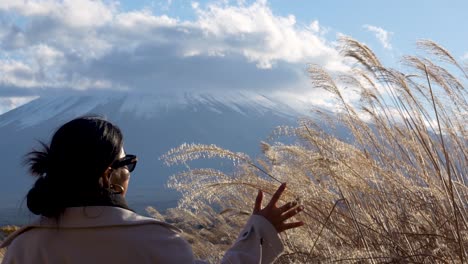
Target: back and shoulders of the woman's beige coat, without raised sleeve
{"points": [[92, 232]]}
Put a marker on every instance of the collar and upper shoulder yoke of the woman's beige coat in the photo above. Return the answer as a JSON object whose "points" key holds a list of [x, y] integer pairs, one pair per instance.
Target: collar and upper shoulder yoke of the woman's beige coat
{"points": [[90, 217]]}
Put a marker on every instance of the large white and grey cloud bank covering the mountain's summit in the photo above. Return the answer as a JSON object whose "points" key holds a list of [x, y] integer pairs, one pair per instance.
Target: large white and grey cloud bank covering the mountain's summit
{"points": [[87, 44]]}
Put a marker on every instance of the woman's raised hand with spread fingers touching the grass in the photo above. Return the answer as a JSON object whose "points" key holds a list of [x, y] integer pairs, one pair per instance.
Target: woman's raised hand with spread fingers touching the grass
{"points": [[278, 215]]}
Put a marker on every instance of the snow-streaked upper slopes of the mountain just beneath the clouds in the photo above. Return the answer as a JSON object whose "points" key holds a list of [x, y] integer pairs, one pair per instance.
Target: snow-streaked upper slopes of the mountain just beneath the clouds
{"points": [[146, 105]]}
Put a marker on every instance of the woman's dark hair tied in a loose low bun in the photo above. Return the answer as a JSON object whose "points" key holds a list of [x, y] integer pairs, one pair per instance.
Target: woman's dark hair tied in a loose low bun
{"points": [[69, 169]]}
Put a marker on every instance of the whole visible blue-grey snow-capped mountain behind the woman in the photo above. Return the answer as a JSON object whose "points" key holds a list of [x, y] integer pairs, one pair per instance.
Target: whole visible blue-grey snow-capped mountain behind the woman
{"points": [[152, 124]]}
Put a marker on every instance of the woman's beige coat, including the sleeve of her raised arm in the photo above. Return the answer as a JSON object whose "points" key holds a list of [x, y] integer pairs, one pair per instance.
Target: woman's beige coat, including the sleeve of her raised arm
{"points": [[104, 234]]}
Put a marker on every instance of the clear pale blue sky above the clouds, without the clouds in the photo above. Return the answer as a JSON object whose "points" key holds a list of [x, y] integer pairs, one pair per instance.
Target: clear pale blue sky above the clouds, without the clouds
{"points": [[442, 21]]}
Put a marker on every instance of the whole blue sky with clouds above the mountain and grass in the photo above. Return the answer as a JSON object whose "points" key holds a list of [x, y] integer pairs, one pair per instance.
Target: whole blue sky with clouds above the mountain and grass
{"points": [[62, 46]]}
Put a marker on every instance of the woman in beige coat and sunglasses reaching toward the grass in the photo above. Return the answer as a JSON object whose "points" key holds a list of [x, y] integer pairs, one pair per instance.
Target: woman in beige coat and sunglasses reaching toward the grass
{"points": [[83, 176]]}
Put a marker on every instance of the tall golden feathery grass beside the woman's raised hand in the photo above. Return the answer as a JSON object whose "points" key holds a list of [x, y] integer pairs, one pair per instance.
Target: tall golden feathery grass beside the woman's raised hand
{"points": [[394, 191]]}
